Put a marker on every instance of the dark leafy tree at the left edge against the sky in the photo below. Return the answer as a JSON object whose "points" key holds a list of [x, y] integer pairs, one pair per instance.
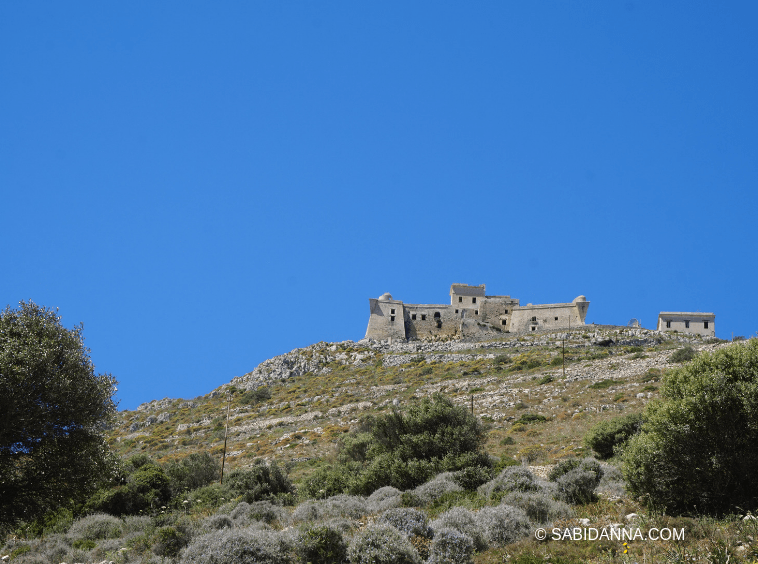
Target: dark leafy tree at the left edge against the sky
{"points": [[54, 408]]}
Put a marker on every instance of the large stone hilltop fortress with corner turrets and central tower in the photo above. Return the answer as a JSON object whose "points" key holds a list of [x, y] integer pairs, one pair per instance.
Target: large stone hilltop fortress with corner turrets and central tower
{"points": [[470, 311]]}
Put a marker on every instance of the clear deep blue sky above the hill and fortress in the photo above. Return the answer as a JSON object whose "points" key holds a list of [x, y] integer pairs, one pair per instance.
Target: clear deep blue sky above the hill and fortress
{"points": [[207, 185]]}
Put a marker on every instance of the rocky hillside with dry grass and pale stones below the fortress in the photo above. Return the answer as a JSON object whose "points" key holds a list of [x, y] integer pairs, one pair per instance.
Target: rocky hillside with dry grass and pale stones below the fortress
{"points": [[294, 407]]}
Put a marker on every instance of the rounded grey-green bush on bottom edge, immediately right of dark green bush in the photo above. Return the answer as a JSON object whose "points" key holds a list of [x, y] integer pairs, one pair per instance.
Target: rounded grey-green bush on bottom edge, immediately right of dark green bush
{"points": [[382, 544]]}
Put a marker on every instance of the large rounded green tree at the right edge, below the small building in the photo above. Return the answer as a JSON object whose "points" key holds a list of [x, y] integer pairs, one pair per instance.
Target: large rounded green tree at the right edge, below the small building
{"points": [[697, 448]]}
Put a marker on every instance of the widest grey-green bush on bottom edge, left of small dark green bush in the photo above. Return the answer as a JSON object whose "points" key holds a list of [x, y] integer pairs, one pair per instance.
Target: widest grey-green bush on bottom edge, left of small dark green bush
{"points": [[237, 546]]}
